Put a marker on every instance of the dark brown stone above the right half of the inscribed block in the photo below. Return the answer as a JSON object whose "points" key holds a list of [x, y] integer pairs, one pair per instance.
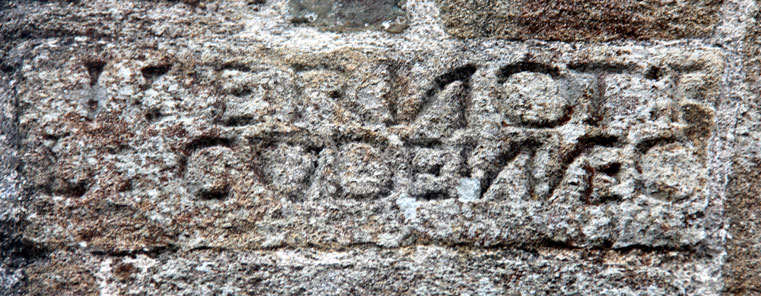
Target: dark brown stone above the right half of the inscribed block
{"points": [[580, 20]]}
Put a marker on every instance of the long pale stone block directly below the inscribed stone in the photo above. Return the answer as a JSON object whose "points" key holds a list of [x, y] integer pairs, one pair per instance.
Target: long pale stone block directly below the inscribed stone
{"points": [[421, 270]]}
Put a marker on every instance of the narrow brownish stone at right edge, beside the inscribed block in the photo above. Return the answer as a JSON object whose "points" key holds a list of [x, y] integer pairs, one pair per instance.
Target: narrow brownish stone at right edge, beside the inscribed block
{"points": [[744, 204]]}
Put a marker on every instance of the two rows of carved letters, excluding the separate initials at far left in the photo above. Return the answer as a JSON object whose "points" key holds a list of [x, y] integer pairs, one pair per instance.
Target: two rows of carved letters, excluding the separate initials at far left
{"points": [[581, 133]]}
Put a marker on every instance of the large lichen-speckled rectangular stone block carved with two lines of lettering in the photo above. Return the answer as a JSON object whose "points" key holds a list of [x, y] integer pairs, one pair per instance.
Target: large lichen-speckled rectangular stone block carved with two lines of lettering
{"points": [[617, 150]]}
